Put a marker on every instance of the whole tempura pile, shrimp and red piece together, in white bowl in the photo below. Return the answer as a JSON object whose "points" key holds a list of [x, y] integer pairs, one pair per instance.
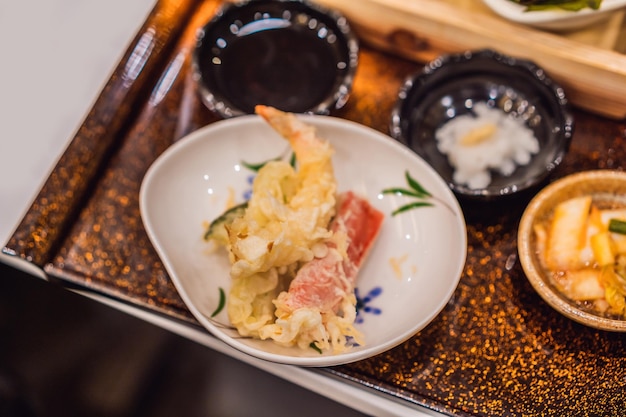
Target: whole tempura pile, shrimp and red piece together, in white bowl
{"points": [[293, 270]]}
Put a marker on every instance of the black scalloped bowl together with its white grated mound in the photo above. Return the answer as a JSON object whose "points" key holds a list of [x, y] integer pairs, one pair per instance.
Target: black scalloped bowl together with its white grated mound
{"points": [[491, 125]]}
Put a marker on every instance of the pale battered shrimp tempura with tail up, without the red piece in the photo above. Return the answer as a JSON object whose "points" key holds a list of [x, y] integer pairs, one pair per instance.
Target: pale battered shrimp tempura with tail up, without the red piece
{"points": [[287, 215]]}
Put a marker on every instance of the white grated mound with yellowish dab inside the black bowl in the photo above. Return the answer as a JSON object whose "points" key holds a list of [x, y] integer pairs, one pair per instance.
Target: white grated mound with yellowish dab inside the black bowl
{"points": [[474, 148]]}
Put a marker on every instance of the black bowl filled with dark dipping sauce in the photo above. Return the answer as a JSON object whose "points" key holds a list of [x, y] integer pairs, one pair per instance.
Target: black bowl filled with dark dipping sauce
{"points": [[290, 54]]}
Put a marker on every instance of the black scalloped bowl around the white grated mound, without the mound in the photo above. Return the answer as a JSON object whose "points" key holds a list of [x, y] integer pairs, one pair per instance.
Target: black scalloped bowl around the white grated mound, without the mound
{"points": [[452, 85]]}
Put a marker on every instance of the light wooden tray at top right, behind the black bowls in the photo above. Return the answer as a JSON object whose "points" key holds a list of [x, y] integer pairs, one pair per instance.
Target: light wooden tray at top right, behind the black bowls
{"points": [[590, 64]]}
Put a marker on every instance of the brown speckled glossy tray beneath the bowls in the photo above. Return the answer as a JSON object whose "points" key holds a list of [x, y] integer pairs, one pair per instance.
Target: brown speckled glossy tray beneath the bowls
{"points": [[496, 349]]}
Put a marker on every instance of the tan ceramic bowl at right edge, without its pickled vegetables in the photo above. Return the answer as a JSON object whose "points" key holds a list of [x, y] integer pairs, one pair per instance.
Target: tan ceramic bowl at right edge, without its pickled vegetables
{"points": [[601, 185]]}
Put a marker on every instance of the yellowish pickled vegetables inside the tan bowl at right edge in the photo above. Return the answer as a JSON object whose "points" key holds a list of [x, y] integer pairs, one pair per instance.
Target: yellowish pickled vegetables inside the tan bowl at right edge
{"points": [[585, 254]]}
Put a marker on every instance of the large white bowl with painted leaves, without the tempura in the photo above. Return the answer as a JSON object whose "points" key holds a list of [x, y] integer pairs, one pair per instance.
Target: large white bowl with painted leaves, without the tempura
{"points": [[191, 183]]}
